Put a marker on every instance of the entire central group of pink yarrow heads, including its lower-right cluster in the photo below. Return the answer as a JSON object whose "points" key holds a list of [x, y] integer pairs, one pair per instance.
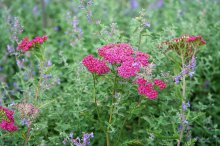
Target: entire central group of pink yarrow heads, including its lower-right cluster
{"points": [[128, 64]]}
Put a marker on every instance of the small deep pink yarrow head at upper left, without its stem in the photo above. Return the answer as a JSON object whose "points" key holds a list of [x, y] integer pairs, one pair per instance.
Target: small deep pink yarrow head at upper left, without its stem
{"points": [[26, 45]]}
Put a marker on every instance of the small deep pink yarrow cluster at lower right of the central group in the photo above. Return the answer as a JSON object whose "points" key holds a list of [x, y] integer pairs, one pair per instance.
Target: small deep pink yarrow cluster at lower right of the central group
{"points": [[147, 88]]}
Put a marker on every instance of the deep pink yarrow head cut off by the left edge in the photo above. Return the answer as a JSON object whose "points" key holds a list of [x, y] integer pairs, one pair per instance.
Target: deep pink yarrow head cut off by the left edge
{"points": [[7, 119]]}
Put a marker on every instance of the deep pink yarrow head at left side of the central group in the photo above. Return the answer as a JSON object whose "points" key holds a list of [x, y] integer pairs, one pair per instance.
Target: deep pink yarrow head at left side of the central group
{"points": [[95, 66]]}
